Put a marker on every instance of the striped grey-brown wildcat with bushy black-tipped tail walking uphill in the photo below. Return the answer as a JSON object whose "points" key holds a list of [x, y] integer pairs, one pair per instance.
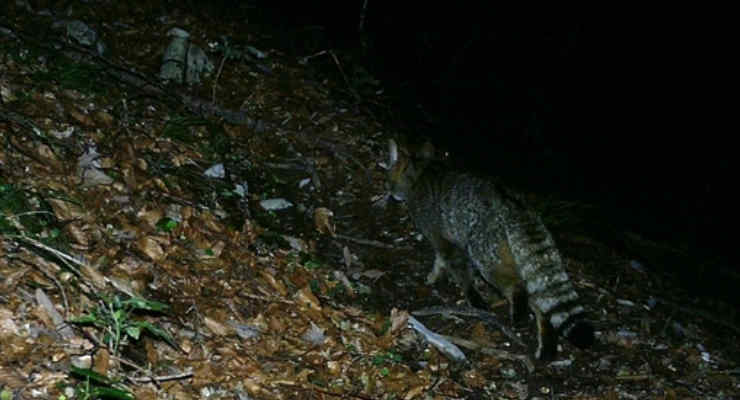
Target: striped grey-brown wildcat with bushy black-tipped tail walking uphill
{"points": [[507, 243]]}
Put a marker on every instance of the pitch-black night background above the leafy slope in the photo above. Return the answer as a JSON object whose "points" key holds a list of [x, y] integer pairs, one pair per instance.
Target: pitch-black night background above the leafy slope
{"points": [[622, 108]]}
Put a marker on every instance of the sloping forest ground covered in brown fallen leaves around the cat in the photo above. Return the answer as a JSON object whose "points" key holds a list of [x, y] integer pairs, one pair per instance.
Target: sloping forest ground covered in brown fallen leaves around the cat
{"points": [[105, 195]]}
